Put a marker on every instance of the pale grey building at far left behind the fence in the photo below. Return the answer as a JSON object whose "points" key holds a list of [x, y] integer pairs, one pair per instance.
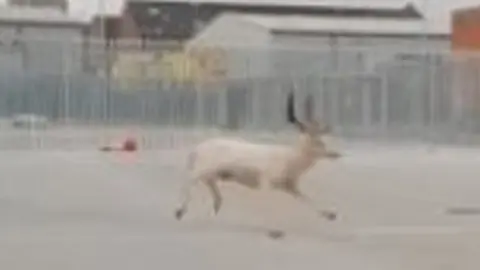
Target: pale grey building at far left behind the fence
{"points": [[41, 40]]}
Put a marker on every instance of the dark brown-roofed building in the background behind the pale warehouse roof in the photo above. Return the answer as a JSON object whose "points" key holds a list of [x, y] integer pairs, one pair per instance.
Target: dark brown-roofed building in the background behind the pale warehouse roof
{"points": [[180, 20]]}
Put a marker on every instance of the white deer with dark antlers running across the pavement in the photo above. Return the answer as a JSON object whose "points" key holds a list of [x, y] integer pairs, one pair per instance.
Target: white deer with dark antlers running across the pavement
{"points": [[257, 166]]}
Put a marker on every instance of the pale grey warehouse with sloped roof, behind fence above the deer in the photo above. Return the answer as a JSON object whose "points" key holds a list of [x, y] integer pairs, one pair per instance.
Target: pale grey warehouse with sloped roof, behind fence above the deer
{"points": [[277, 45]]}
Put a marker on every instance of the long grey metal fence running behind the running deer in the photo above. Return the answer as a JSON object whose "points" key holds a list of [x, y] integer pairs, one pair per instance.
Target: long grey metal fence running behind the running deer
{"points": [[412, 96]]}
